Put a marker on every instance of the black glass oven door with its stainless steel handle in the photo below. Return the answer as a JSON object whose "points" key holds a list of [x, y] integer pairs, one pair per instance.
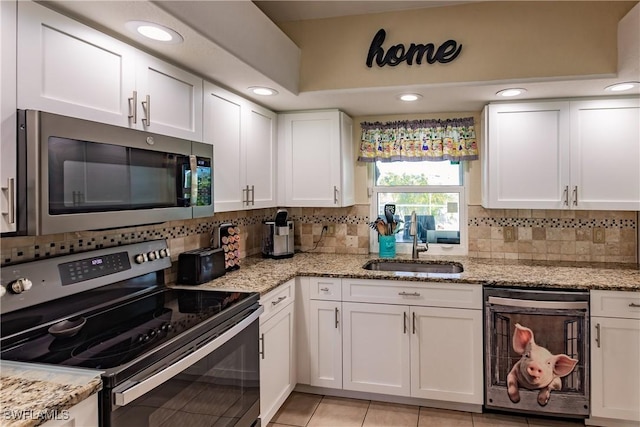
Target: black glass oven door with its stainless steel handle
{"points": [[218, 384]]}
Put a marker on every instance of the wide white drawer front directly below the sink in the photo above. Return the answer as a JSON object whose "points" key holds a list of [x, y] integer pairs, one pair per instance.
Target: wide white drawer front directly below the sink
{"points": [[433, 294]]}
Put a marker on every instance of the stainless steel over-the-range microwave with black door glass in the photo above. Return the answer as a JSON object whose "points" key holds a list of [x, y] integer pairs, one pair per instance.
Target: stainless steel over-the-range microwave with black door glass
{"points": [[76, 175]]}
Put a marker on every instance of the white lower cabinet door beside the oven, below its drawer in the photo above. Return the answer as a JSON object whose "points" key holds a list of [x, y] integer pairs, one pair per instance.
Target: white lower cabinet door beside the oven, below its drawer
{"points": [[277, 369]]}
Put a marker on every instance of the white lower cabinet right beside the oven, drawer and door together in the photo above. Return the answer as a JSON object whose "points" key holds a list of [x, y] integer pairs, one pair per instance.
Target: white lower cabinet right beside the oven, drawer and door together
{"points": [[277, 363]]}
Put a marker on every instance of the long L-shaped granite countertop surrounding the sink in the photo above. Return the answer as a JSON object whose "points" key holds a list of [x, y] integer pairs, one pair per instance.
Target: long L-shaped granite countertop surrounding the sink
{"points": [[262, 275]]}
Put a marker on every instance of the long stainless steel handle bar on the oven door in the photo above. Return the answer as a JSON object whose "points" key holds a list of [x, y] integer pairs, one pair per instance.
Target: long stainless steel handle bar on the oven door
{"points": [[137, 389]]}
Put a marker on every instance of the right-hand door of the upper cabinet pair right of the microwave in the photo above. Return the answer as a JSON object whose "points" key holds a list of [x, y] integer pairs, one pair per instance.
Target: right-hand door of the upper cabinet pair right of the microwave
{"points": [[259, 146]]}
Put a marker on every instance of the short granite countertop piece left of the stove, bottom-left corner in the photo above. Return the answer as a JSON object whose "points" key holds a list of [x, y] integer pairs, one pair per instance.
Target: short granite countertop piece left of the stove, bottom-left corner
{"points": [[31, 394]]}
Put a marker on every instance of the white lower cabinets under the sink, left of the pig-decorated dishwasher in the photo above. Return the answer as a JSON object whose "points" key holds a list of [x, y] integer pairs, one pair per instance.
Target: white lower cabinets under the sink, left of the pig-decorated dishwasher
{"points": [[410, 339]]}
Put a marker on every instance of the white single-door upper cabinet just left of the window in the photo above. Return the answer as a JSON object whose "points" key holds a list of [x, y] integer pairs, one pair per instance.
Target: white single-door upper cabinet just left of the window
{"points": [[316, 159]]}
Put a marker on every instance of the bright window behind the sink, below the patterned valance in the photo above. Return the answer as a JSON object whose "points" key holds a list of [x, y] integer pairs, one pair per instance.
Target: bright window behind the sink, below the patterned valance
{"points": [[435, 191]]}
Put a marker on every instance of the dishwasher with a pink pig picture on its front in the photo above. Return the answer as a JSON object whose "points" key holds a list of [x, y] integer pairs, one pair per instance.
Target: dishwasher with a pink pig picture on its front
{"points": [[537, 351]]}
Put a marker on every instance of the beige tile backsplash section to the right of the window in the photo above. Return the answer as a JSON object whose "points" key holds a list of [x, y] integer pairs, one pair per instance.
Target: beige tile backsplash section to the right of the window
{"points": [[554, 235]]}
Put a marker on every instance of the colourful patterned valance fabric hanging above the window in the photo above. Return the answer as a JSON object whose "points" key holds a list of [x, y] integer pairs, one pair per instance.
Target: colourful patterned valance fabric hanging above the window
{"points": [[419, 140]]}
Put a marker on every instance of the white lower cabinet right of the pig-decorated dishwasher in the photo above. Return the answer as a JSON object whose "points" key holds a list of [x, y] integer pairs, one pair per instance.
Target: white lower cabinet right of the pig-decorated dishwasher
{"points": [[615, 358]]}
